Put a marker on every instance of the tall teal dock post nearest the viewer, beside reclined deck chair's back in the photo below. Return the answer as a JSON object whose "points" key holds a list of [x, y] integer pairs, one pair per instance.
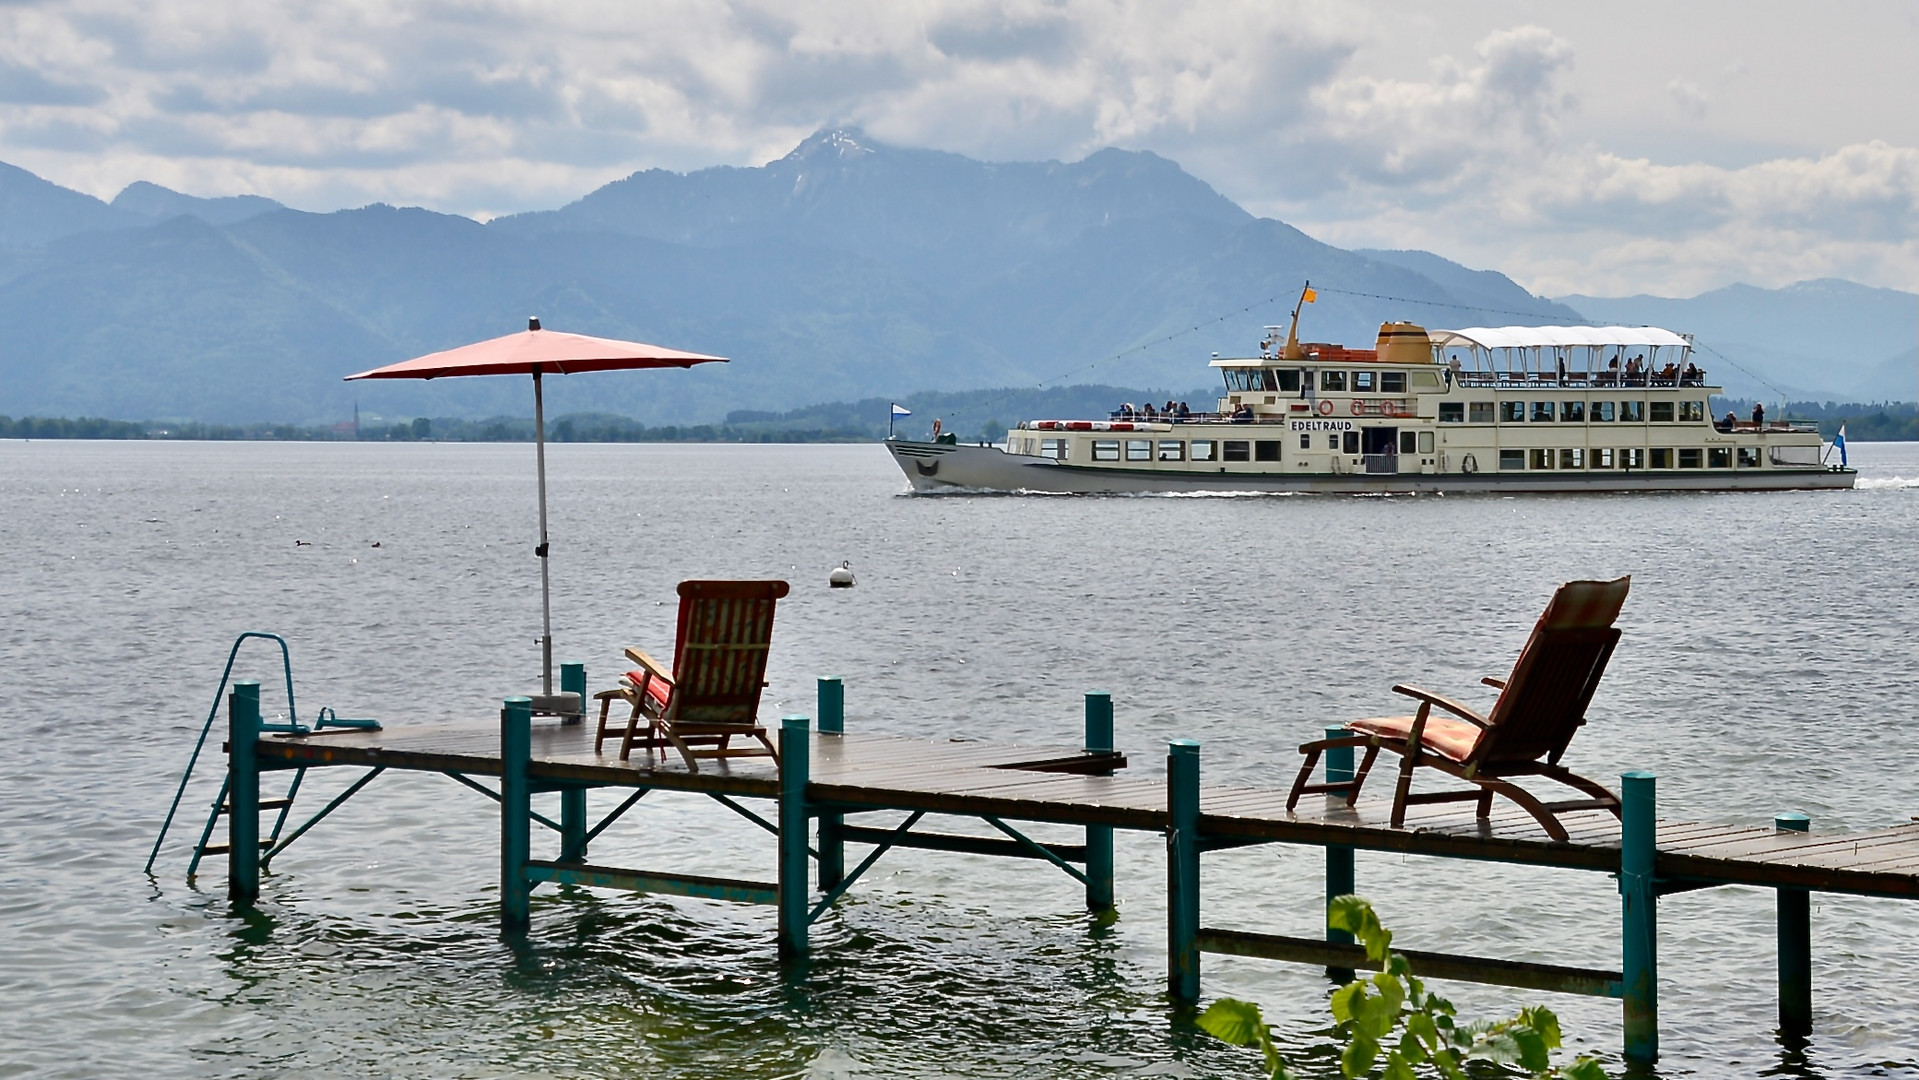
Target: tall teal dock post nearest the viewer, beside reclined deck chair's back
{"points": [[1640, 918]]}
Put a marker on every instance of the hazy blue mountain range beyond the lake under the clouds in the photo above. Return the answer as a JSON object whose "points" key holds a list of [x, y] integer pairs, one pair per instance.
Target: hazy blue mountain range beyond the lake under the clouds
{"points": [[847, 270]]}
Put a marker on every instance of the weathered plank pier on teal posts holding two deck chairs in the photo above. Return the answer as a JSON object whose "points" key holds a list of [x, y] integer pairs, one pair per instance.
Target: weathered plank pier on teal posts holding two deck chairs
{"points": [[830, 778]]}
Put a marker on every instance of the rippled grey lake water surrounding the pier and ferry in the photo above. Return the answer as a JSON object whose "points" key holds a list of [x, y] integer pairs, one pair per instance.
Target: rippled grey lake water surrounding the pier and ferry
{"points": [[1768, 665]]}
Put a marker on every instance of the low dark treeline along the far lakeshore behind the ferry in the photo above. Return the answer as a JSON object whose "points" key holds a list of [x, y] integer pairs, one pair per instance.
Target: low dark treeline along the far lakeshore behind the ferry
{"points": [[972, 415]]}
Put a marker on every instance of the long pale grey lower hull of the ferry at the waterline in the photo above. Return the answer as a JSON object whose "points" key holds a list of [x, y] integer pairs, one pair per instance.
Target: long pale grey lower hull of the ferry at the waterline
{"points": [[957, 469]]}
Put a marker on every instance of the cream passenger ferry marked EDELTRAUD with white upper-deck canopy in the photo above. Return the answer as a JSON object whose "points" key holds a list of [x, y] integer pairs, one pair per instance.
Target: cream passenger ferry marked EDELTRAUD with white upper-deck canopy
{"points": [[1477, 410]]}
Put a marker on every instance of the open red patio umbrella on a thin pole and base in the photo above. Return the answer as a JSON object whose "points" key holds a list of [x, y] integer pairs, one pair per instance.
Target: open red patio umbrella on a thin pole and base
{"points": [[538, 352]]}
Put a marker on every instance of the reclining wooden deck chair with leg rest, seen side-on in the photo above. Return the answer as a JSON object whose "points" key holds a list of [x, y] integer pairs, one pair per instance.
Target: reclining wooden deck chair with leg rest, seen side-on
{"points": [[1540, 709]]}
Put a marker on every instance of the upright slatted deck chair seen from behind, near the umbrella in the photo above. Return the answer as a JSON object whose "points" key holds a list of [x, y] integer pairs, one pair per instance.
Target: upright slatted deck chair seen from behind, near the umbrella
{"points": [[713, 692]]}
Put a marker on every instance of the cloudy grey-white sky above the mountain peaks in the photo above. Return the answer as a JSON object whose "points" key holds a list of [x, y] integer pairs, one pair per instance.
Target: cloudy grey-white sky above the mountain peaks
{"points": [[1582, 147]]}
